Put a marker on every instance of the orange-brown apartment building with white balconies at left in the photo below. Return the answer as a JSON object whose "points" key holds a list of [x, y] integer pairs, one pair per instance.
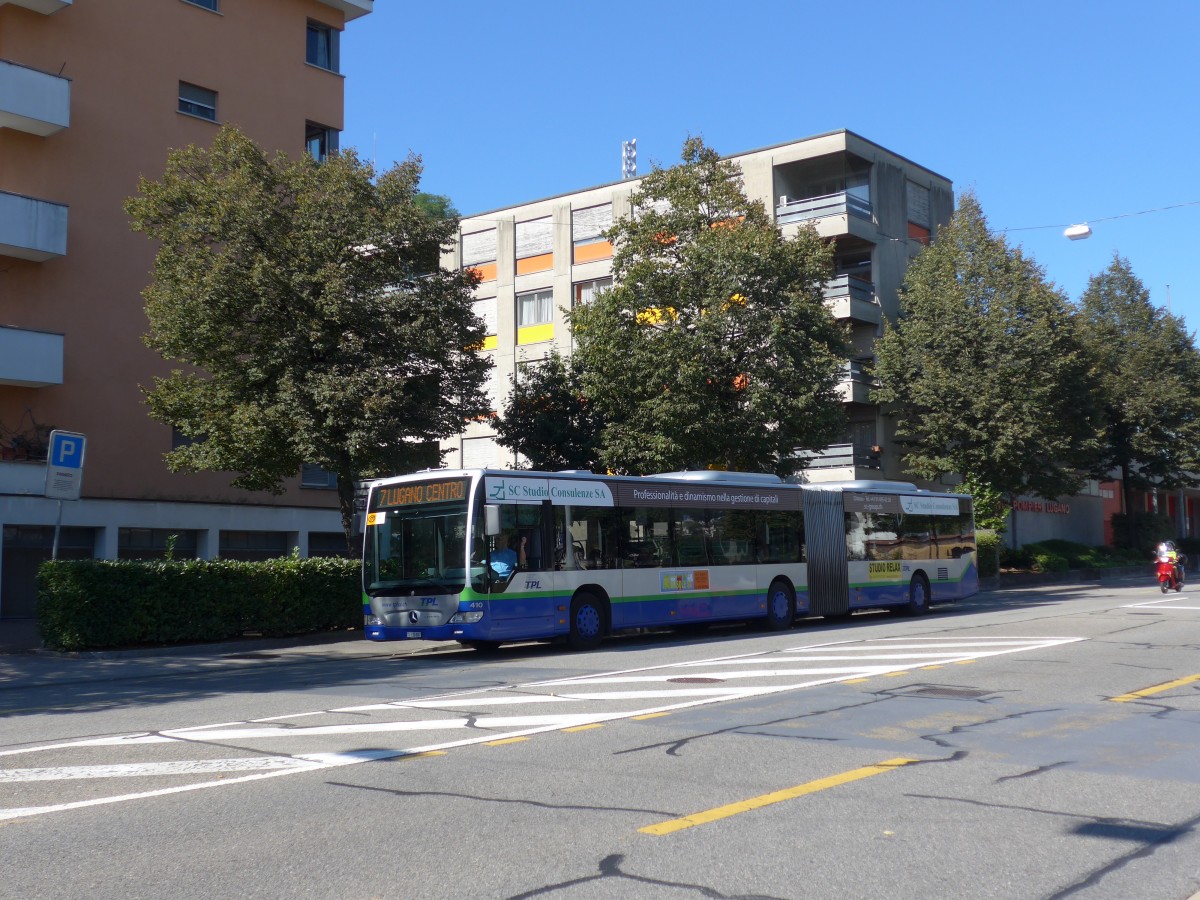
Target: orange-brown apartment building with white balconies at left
{"points": [[93, 95]]}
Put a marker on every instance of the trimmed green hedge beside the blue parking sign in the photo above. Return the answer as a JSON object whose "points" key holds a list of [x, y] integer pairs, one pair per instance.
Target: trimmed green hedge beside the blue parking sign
{"points": [[94, 604]]}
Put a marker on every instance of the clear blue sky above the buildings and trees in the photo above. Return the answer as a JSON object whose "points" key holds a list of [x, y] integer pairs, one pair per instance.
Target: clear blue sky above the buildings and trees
{"points": [[1054, 112]]}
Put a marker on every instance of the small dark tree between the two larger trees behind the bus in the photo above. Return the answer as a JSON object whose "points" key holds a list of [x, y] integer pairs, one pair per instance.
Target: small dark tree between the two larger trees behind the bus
{"points": [[548, 419]]}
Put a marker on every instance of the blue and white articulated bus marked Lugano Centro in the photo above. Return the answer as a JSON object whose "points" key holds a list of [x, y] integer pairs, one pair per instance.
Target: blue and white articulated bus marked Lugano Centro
{"points": [[485, 557]]}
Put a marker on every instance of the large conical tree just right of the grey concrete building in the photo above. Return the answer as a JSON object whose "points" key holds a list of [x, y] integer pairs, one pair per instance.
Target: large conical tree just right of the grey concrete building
{"points": [[985, 371]]}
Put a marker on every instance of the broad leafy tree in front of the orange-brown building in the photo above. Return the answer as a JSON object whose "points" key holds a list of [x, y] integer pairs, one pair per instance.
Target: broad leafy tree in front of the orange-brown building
{"points": [[301, 299]]}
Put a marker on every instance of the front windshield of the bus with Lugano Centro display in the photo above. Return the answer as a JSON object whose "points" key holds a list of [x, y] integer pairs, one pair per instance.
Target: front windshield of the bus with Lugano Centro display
{"points": [[417, 539]]}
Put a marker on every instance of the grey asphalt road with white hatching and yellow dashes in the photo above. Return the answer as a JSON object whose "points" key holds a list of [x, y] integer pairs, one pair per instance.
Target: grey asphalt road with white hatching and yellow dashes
{"points": [[1040, 743]]}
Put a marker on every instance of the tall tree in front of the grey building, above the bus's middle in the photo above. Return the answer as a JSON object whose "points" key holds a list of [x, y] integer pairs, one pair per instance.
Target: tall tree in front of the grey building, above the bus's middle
{"points": [[715, 347]]}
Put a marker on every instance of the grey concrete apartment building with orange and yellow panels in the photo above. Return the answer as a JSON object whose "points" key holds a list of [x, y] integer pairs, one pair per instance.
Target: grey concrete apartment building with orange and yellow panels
{"points": [[877, 207]]}
